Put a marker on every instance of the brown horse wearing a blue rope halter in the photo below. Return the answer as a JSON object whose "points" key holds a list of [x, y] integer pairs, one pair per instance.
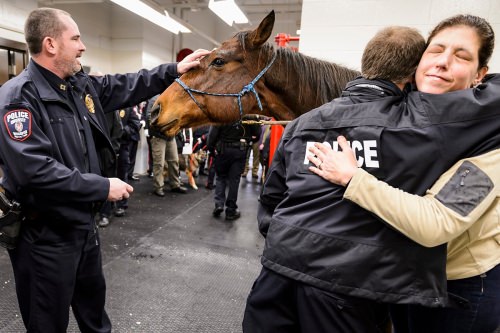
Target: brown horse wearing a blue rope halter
{"points": [[246, 75]]}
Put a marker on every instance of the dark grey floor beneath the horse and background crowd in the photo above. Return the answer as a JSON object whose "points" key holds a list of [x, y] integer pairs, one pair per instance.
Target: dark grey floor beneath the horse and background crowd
{"points": [[170, 266]]}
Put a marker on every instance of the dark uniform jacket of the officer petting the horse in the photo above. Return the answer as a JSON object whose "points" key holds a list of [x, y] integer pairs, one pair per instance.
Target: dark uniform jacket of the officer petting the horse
{"points": [[44, 139]]}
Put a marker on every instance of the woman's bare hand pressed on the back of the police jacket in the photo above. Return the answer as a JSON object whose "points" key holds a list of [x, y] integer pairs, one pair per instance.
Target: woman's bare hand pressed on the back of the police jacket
{"points": [[336, 167]]}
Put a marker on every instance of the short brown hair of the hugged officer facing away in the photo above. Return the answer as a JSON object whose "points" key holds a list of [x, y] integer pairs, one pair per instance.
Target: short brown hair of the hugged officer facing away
{"points": [[393, 54]]}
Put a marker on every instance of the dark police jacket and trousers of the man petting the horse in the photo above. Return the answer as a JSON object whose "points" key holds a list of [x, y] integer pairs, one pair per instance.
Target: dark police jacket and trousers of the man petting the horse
{"points": [[56, 155]]}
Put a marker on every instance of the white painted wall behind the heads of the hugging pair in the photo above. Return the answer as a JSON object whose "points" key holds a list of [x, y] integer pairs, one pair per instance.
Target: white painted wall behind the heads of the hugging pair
{"points": [[338, 30]]}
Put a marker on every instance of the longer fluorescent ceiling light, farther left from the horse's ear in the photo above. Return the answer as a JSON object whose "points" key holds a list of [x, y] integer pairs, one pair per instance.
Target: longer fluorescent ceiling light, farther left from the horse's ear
{"points": [[148, 13]]}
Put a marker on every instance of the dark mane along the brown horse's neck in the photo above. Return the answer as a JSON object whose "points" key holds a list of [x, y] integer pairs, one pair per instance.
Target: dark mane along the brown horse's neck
{"points": [[328, 79]]}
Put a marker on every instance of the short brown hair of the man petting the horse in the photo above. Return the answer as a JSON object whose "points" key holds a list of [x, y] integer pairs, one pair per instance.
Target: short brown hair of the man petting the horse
{"points": [[41, 23]]}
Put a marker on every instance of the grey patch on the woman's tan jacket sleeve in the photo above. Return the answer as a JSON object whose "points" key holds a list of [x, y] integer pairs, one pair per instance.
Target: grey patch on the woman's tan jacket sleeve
{"points": [[466, 189]]}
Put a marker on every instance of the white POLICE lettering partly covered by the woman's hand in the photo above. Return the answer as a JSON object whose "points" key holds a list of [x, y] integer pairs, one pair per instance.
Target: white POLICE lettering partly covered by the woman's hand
{"points": [[366, 151]]}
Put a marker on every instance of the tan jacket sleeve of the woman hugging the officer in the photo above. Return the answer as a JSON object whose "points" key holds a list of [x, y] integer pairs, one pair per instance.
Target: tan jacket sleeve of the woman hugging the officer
{"points": [[440, 215]]}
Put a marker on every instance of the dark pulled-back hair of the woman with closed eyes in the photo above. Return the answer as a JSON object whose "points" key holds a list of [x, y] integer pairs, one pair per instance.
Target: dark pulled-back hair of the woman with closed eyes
{"points": [[481, 26]]}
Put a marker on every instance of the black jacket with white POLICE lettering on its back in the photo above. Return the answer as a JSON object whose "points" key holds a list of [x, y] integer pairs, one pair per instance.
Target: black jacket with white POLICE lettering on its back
{"points": [[316, 237]]}
